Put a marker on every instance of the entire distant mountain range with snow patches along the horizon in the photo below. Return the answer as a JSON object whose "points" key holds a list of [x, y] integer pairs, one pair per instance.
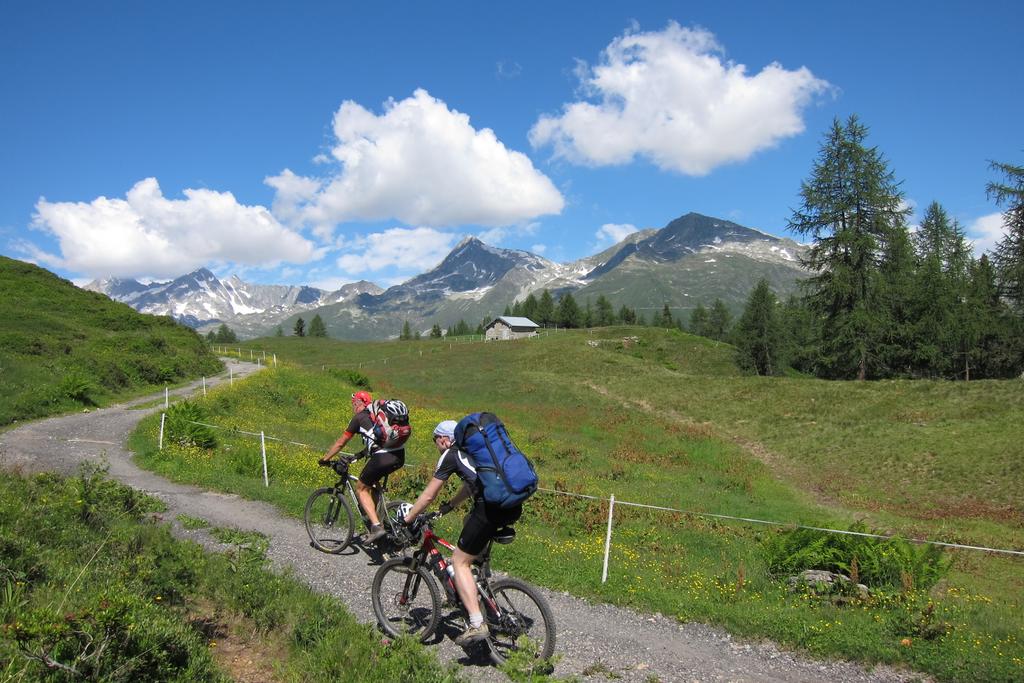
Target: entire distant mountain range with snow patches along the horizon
{"points": [[693, 261]]}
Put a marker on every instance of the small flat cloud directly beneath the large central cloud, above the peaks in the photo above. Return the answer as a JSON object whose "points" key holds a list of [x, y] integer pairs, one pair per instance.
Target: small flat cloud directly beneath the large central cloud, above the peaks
{"points": [[412, 250]]}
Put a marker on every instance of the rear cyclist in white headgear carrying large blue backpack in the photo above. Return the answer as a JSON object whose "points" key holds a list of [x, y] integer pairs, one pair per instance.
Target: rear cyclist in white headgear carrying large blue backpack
{"points": [[497, 477]]}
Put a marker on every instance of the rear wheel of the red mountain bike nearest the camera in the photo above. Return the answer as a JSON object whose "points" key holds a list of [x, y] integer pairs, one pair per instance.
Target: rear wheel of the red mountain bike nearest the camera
{"points": [[520, 613]]}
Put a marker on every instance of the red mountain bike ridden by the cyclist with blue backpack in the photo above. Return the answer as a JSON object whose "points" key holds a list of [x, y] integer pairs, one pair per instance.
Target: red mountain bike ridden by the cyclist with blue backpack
{"points": [[407, 600]]}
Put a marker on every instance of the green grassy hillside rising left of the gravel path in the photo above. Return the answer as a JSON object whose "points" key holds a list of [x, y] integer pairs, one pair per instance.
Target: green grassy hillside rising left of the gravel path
{"points": [[64, 349]]}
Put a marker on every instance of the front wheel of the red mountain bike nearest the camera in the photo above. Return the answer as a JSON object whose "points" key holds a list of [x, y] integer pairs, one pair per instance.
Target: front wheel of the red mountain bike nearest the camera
{"points": [[406, 603]]}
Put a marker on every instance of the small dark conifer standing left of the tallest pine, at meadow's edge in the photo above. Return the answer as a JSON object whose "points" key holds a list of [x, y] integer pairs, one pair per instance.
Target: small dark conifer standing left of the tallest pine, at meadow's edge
{"points": [[760, 339]]}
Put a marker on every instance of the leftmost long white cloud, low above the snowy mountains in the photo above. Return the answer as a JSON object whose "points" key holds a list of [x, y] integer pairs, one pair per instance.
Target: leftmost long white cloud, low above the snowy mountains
{"points": [[147, 235]]}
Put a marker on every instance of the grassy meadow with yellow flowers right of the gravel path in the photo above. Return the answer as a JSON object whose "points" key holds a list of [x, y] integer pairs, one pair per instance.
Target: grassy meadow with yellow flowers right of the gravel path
{"points": [[663, 418]]}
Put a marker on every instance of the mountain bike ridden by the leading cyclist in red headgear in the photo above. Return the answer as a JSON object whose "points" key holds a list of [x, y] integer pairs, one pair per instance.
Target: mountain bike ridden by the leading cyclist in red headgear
{"points": [[329, 517]]}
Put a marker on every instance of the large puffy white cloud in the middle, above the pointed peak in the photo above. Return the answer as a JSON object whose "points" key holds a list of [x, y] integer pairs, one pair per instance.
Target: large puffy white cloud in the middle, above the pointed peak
{"points": [[422, 164]]}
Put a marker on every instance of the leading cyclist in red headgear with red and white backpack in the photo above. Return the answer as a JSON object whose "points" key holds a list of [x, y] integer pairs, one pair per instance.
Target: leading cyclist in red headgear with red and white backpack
{"points": [[385, 429]]}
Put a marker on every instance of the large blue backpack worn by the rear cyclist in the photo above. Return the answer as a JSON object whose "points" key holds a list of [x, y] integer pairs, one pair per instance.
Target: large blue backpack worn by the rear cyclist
{"points": [[505, 475]]}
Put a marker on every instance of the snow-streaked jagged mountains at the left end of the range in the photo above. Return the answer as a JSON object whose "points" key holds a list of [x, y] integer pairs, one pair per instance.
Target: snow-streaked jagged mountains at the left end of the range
{"points": [[201, 301]]}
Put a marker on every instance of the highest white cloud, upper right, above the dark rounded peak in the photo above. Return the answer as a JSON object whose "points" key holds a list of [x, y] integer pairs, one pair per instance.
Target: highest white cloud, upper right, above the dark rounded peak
{"points": [[670, 98]]}
